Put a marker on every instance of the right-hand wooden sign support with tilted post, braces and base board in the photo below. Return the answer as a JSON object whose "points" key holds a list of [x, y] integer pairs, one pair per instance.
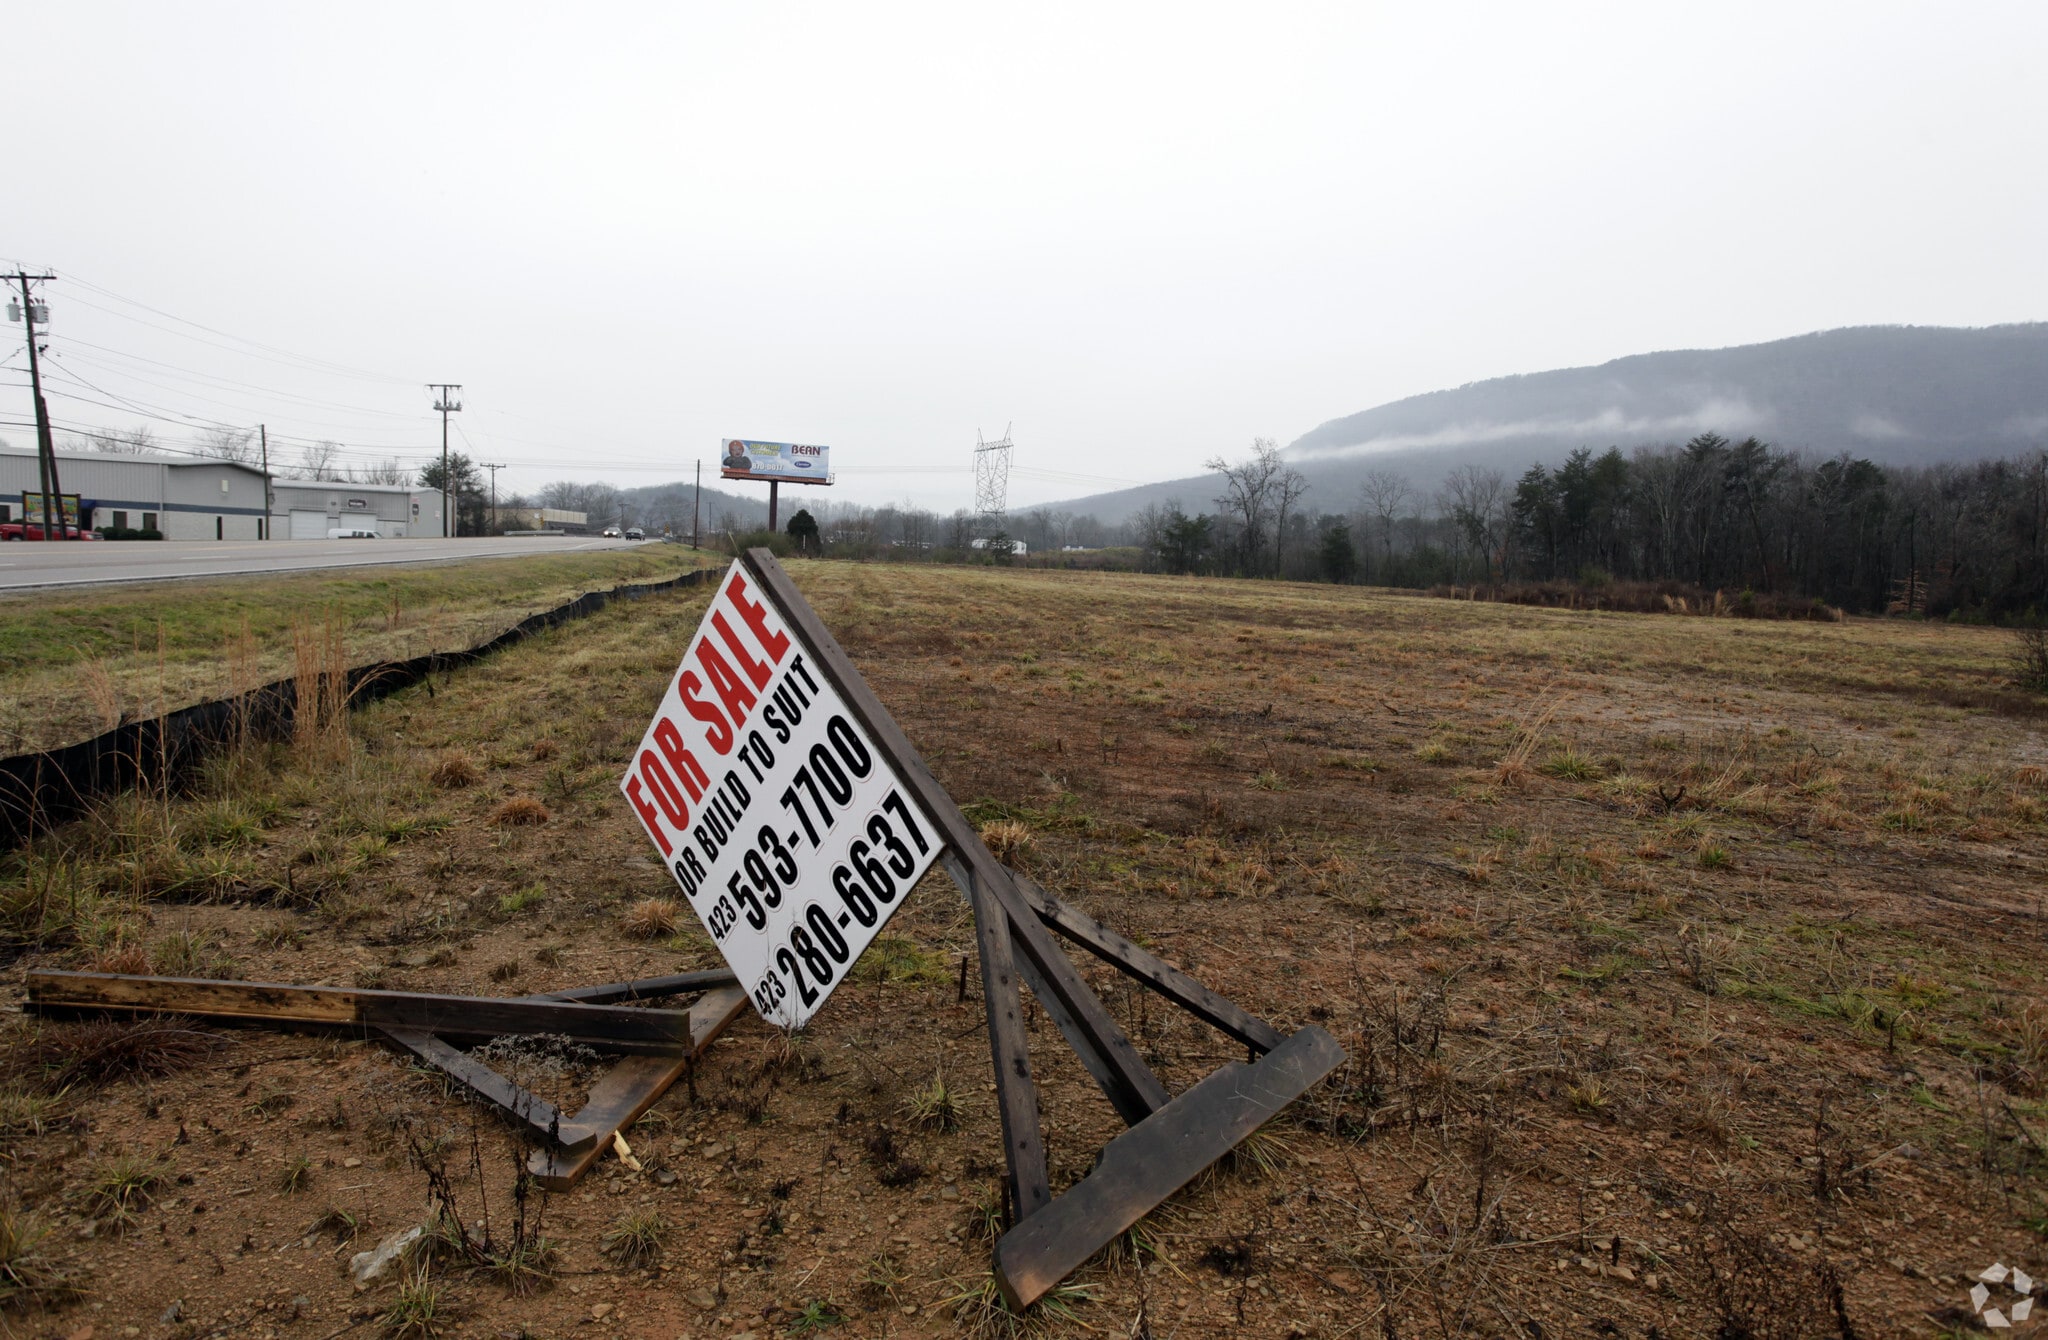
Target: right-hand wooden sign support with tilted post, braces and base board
{"points": [[1170, 1140]]}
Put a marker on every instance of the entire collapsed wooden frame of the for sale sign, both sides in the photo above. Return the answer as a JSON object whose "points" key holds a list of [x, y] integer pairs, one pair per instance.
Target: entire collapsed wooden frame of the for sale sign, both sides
{"points": [[1170, 1140]]}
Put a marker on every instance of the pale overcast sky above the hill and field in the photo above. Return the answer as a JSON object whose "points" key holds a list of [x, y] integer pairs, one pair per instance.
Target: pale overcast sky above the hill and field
{"points": [[1142, 235]]}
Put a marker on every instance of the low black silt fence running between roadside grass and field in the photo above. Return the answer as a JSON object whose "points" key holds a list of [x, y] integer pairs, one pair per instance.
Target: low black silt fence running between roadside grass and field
{"points": [[54, 786]]}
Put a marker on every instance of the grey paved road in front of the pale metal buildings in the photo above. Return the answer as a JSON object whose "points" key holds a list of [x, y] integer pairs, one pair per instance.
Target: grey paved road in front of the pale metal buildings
{"points": [[26, 567]]}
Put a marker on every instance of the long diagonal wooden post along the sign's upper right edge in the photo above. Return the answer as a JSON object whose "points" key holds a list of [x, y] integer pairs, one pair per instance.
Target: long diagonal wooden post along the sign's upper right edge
{"points": [[1136, 1091]]}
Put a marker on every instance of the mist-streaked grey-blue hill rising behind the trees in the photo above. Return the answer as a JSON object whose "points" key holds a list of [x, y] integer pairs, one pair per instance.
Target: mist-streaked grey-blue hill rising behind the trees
{"points": [[1897, 394]]}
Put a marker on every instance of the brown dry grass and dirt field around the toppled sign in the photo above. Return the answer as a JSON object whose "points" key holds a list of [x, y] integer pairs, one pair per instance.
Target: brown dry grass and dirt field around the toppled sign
{"points": [[1691, 974]]}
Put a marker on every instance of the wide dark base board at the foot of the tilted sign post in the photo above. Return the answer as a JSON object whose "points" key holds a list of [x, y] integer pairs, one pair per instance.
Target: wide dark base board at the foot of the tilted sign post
{"points": [[1156, 1159]]}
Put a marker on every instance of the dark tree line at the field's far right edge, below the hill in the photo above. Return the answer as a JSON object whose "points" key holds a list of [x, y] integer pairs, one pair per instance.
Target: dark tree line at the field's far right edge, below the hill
{"points": [[1711, 513]]}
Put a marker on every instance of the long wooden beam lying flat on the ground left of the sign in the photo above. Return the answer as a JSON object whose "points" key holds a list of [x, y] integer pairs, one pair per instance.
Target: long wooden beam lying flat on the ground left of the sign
{"points": [[595, 1025]]}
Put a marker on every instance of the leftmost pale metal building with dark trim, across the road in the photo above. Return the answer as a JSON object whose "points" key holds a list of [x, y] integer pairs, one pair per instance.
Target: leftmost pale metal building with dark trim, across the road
{"points": [[181, 497]]}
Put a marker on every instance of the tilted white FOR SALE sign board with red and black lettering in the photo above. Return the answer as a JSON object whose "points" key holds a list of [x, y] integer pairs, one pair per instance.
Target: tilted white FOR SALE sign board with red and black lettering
{"points": [[783, 823]]}
